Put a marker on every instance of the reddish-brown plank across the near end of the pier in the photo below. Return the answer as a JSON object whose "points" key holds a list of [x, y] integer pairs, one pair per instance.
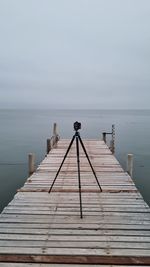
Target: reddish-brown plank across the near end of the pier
{"points": [[76, 258]]}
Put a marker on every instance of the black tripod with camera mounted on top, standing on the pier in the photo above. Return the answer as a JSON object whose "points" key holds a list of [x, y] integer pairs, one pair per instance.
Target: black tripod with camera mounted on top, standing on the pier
{"points": [[76, 136]]}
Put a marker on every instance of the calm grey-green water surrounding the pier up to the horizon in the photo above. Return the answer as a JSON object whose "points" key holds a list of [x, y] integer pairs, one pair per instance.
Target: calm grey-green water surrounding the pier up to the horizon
{"points": [[22, 132]]}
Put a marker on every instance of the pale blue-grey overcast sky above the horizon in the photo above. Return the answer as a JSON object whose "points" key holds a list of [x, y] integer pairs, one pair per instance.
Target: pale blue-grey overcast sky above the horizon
{"points": [[75, 54]]}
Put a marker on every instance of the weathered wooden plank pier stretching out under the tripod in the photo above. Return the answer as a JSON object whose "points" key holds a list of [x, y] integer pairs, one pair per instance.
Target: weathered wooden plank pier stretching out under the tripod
{"points": [[41, 229]]}
